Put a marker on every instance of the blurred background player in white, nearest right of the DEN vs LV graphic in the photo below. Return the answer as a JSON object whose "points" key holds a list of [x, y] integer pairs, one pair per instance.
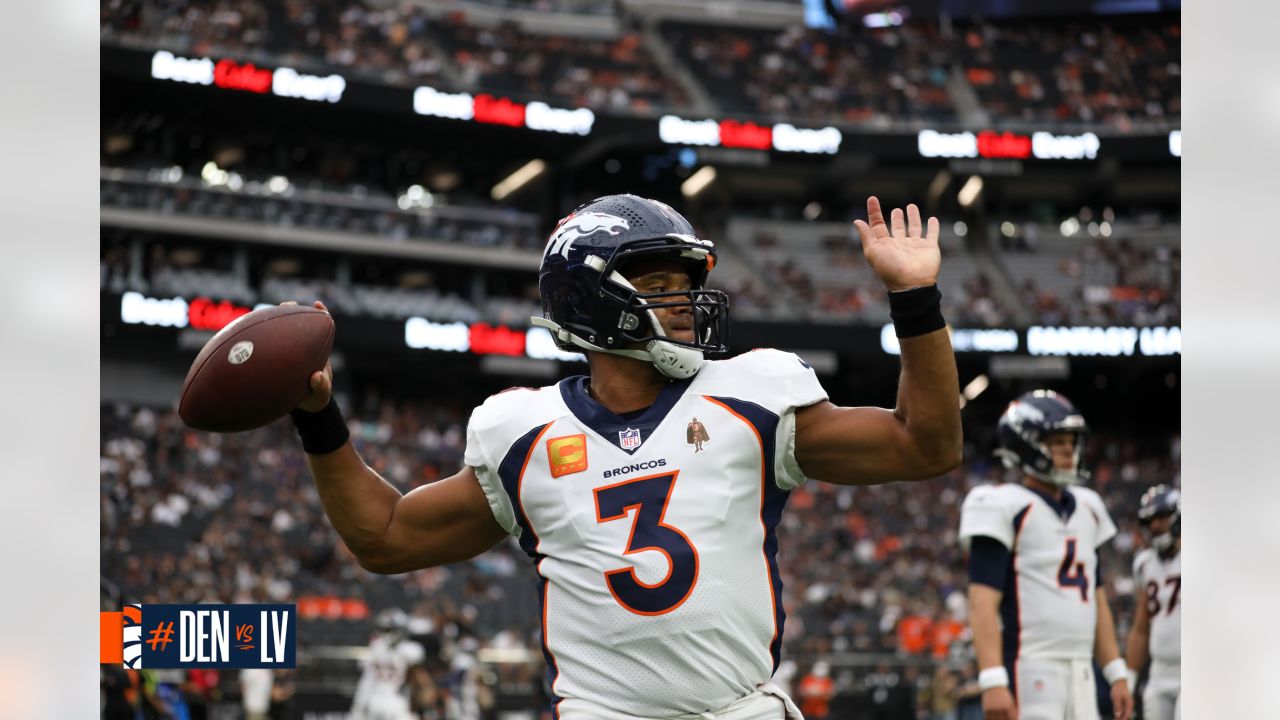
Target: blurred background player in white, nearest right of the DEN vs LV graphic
{"points": [[381, 691]]}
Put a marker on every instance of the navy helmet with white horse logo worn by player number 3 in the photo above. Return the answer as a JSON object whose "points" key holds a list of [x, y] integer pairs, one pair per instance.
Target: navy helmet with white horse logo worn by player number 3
{"points": [[588, 304]]}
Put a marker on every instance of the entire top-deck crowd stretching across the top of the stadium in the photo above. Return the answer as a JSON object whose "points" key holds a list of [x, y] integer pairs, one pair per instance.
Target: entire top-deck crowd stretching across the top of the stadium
{"points": [[1094, 72]]}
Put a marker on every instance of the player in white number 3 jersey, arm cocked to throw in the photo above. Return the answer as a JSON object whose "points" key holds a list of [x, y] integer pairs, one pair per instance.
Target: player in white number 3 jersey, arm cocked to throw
{"points": [[660, 587]]}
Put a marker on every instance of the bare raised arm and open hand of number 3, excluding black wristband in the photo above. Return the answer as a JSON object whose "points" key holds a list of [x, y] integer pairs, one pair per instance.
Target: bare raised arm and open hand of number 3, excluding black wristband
{"points": [[921, 438]]}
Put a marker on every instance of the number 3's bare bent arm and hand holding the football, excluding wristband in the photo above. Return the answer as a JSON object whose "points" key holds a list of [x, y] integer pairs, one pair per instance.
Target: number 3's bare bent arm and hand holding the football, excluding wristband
{"points": [[388, 532]]}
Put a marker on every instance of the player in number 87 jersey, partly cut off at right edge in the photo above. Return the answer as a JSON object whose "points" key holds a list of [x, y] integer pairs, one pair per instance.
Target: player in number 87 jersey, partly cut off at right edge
{"points": [[1158, 623]]}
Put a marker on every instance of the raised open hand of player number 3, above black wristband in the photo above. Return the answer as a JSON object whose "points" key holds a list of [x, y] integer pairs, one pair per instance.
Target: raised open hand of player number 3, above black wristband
{"points": [[904, 253]]}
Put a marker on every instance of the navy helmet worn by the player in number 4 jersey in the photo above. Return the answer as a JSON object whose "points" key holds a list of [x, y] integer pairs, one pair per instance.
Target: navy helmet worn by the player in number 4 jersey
{"points": [[1022, 431]]}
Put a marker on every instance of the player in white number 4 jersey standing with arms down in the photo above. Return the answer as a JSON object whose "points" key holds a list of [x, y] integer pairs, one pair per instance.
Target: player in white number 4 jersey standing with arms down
{"points": [[1039, 609]]}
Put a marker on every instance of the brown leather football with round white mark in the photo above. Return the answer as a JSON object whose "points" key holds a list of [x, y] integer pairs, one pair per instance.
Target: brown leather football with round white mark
{"points": [[257, 370]]}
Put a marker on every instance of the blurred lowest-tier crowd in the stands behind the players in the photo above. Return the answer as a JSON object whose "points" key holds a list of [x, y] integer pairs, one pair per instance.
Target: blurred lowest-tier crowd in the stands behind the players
{"points": [[190, 517]]}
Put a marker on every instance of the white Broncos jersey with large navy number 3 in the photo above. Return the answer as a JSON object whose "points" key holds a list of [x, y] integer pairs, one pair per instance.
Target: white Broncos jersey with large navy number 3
{"points": [[659, 562]]}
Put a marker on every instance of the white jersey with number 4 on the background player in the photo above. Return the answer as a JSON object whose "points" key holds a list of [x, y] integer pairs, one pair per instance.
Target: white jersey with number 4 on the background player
{"points": [[1049, 610]]}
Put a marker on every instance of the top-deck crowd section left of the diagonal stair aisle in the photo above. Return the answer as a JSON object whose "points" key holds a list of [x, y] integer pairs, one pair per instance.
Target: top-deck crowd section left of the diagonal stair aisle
{"points": [[406, 44]]}
